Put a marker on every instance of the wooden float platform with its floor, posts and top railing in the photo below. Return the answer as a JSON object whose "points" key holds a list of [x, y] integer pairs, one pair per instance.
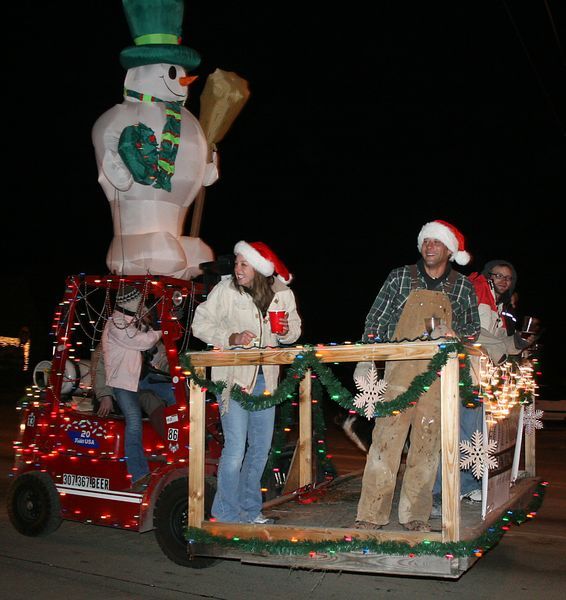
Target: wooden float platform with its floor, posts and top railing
{"points": [[330, 519]]}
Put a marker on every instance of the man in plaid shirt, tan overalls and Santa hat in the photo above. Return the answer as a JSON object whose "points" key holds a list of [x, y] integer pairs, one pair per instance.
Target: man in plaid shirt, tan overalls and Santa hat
{"points": [[409, 298]]}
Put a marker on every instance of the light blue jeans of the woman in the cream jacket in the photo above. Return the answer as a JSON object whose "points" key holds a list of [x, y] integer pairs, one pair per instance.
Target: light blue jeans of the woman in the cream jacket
{"points": [[238, 496]]}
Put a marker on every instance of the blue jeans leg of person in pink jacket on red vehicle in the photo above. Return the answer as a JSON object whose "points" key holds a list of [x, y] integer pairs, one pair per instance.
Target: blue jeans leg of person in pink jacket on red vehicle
{"points": [[135, 458]]}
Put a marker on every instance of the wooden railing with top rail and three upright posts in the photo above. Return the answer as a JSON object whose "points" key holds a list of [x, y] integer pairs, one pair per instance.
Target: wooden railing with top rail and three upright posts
{"points": [[450, 411]]}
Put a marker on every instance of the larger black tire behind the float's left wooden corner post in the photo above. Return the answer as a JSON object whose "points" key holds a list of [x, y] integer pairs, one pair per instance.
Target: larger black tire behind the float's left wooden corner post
{"points": [[170, 521]]}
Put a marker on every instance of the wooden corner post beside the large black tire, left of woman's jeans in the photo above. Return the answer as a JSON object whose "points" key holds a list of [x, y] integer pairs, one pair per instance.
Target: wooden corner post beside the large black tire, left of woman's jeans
{"points": [[197, 407]]}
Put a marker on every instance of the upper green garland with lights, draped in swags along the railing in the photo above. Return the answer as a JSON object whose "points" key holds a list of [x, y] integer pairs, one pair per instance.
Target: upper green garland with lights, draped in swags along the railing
{"points": [[336, 391]]}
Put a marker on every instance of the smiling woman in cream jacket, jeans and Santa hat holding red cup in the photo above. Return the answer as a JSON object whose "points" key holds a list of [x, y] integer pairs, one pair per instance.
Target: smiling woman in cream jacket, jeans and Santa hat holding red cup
{"points": [[235, 314]]}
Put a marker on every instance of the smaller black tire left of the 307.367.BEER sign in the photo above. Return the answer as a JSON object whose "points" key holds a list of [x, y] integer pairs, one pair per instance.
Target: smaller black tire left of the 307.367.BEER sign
{"points": [[33, 504]]}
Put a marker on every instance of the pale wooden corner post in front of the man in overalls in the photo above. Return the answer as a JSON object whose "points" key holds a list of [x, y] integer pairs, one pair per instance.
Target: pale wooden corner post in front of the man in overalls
{"points": [[450, 428]]}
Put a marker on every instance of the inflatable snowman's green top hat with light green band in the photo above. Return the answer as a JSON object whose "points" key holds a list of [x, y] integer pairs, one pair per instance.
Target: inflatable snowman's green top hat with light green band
{"points": [[156, 26]]}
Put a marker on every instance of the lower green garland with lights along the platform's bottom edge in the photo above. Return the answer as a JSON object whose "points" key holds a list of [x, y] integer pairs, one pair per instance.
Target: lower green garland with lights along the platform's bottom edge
{"points": [[476, 547]]}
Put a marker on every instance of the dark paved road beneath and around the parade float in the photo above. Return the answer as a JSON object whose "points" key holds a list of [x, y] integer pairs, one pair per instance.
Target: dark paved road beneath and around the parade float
{"points": [[97, 562]]}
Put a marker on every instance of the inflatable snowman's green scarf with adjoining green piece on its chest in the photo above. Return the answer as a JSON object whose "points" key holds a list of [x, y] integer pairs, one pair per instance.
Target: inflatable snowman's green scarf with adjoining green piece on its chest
{"points": [[149, 164]]}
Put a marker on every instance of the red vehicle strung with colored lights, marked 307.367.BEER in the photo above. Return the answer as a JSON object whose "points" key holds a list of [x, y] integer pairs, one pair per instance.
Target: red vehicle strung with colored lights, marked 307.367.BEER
{"points": [[69, 462]]}
